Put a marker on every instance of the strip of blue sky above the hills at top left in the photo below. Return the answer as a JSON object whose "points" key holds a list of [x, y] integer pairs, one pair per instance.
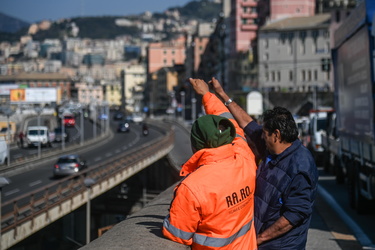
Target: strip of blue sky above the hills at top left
{"points": [[37, 10]]}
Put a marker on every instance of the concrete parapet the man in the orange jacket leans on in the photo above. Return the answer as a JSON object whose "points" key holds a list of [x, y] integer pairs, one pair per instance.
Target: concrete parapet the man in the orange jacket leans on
{"points": [[141, 230]]}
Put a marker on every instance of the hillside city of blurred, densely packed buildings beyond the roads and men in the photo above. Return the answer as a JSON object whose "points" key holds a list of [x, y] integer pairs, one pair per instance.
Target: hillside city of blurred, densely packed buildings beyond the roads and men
{"points": [[140, 63]]}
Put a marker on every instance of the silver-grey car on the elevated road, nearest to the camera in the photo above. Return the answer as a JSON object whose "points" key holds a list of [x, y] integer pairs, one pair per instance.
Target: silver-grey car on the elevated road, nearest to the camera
{"points": [[68, 165]]}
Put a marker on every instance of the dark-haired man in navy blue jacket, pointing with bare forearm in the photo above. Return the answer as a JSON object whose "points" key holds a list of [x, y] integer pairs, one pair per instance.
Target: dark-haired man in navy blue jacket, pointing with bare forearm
{"points": [[287, 176]]}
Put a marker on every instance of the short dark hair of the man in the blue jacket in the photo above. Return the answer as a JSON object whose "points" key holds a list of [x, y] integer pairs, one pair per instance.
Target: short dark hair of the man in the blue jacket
{"points": [[280, 118]]}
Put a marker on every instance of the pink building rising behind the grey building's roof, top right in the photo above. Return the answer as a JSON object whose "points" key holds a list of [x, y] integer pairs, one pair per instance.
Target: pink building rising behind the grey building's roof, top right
{"points": [[291, 8]]}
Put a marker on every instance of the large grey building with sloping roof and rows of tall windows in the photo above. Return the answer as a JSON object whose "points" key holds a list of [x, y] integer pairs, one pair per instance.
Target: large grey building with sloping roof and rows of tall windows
{"points": [[294, 53]]}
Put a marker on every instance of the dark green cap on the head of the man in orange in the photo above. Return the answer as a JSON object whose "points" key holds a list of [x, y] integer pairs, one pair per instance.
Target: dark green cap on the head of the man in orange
{"points": [[212, 131]]}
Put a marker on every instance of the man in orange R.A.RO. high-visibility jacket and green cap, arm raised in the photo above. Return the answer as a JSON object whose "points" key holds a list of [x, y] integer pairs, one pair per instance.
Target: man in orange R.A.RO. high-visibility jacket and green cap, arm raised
{"points": [[213, 206]]}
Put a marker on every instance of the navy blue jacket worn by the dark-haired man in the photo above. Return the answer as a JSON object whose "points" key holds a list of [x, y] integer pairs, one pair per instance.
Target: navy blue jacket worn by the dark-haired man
{"points": [[286, 186]]}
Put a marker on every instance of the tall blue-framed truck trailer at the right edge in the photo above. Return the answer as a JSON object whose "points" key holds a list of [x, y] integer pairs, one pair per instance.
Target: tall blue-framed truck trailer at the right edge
{"points": [[353, 64]]}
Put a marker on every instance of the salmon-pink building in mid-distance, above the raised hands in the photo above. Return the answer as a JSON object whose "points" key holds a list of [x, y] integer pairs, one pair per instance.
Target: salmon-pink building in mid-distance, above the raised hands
{"points": [[166, 54]]}
